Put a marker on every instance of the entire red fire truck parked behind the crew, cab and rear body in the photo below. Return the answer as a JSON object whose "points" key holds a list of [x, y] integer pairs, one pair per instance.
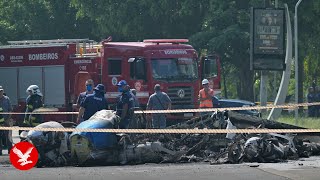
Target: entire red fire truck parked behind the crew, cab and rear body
{"points": [[61, 67]]}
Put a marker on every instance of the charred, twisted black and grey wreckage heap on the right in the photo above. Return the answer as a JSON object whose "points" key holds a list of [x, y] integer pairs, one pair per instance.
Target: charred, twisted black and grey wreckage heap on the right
{"points": [[232, 148]]}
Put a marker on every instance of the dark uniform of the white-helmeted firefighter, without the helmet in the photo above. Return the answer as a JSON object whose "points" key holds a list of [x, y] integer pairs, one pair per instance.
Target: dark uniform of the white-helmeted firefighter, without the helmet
{"points": [[33, 102]]}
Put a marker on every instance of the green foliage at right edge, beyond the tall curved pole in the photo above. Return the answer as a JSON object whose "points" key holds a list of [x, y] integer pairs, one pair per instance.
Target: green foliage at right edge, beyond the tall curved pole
{"points": [[309, 40]]}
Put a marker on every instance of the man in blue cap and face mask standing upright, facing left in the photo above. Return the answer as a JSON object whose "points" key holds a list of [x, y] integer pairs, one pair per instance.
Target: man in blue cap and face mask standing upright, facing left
{"points": [[125, 104]]}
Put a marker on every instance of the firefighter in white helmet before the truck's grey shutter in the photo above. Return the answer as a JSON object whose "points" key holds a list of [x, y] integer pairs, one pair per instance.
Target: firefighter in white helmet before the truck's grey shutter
{"points": [[33, 102]]}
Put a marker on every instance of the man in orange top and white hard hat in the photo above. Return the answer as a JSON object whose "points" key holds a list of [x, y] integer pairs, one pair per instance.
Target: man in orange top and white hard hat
{"points": [[205, 96]]}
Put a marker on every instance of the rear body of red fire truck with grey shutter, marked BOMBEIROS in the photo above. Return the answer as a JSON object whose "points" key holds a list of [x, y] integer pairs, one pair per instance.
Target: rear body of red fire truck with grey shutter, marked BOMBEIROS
{"points": [[53, 65]]}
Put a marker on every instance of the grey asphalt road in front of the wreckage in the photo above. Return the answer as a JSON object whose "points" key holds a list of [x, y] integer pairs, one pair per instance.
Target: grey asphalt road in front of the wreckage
{"points": [[308, 168]]}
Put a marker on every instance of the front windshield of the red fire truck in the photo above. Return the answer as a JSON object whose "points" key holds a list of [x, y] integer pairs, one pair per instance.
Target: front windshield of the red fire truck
{"points": [[174, 69]]}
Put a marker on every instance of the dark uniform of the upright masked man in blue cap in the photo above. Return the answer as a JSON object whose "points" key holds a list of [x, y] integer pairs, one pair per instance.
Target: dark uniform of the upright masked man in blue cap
{"points": [[125, 98]]}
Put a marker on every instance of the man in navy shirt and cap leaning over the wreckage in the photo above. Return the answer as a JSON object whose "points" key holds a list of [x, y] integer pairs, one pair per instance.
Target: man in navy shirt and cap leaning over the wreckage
{"points": [[92, 103]]}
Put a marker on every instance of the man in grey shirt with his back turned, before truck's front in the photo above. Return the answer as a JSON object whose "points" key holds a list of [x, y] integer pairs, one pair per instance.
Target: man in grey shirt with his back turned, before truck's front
{"points": [[159, 101]]}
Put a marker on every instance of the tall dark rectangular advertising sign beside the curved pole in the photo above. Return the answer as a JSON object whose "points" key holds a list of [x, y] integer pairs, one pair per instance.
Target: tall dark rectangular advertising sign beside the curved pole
{"points": [[267, 39]]}
